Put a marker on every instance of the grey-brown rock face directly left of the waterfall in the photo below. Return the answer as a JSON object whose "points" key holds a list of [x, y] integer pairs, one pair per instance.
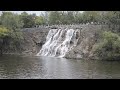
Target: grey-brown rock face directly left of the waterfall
{"points": [[34, 38]]}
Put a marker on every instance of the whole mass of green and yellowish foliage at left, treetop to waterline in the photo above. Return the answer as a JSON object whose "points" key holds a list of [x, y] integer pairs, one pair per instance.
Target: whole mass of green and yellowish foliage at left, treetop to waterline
{"points": [[10, 34]]}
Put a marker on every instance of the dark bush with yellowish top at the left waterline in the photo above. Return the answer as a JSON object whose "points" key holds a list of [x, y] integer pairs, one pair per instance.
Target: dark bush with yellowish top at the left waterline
{"points": [[10, 39]]}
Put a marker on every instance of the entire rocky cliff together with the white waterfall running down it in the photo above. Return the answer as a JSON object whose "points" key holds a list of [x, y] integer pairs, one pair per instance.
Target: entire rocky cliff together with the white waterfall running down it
{"points": [[66, 41]]}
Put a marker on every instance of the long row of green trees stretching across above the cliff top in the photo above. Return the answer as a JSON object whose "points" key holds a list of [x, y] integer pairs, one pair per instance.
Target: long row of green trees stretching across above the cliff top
{"points": [[25, 20]]}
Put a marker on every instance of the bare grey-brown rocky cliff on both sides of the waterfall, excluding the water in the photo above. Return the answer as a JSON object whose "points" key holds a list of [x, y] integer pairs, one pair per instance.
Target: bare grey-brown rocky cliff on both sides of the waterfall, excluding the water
{"points": [[35, 38]]}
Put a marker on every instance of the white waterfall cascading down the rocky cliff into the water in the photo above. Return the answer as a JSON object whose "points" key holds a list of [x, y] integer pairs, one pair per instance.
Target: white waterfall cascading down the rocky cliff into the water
{"points": [[59, 42]]}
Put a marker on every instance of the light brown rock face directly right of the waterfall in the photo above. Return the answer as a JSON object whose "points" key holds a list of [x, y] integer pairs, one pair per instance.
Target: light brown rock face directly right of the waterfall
{"points": [[88, 37]]}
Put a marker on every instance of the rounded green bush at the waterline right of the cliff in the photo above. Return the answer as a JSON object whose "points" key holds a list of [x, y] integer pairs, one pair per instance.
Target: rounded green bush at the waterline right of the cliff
{"points": [[109, 46]]}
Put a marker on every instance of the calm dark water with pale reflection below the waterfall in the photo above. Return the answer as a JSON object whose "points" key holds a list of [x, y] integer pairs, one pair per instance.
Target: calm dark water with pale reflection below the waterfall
{"points": [[19, 67]]}
